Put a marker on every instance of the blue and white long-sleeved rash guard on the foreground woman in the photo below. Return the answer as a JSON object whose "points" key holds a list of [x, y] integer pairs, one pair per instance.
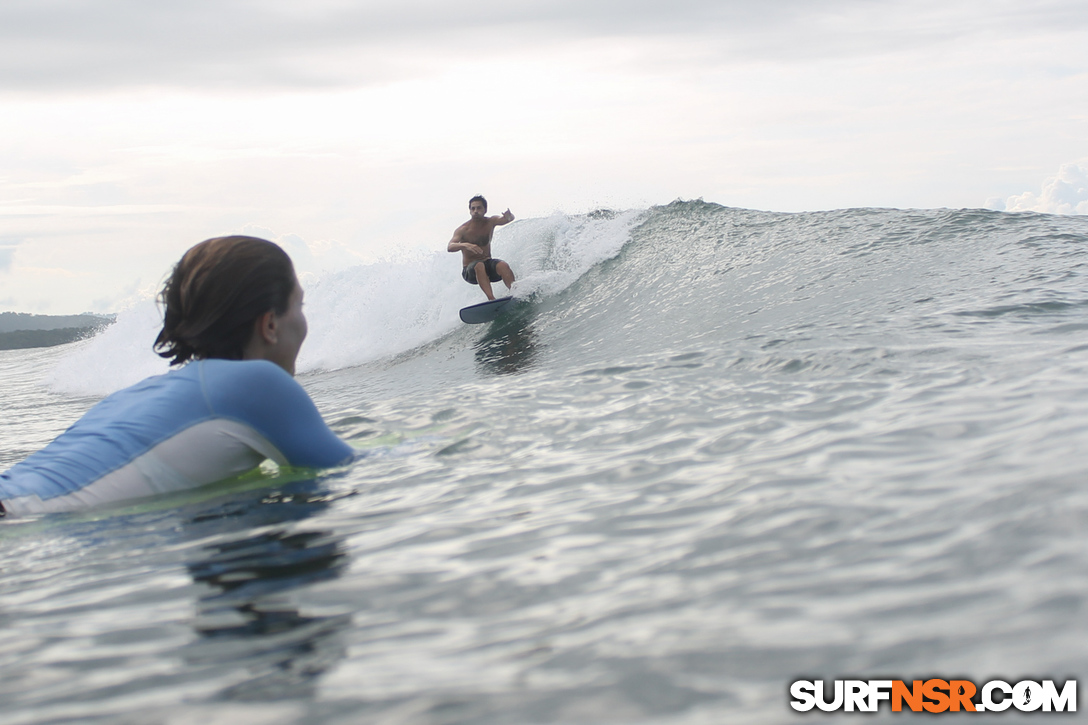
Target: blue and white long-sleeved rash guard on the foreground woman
{"points": [[209, 421]]}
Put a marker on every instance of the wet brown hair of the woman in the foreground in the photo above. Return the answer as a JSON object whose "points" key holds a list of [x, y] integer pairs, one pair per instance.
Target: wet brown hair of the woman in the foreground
{"points": [[217, 292]]}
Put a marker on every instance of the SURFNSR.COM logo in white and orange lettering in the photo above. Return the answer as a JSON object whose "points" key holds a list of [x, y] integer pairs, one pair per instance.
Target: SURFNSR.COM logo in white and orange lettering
{"points": [[934, 696]]}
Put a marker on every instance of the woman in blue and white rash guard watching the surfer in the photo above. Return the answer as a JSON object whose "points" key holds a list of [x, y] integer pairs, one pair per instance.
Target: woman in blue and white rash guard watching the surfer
{"points": [[233, 320]]}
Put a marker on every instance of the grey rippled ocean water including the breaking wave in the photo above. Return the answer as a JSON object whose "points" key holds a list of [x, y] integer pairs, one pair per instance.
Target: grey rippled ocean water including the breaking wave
{"points": [[711, 452]]}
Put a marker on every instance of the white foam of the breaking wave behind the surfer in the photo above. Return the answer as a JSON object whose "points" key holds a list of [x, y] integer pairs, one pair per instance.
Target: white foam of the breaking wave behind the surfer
{"points": [[370, 312]]}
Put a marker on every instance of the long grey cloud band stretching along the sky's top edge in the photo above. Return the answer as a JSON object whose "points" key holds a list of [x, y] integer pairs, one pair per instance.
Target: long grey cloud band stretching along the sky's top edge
{"points": [[76, 44]]}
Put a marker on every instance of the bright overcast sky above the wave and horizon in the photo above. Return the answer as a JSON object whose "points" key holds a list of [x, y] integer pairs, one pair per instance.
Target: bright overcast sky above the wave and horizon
{"points": [[357, 130]]}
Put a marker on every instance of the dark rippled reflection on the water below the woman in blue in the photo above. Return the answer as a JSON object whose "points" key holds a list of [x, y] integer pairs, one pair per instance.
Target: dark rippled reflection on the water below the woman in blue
{"points": [[249, 618]]}
